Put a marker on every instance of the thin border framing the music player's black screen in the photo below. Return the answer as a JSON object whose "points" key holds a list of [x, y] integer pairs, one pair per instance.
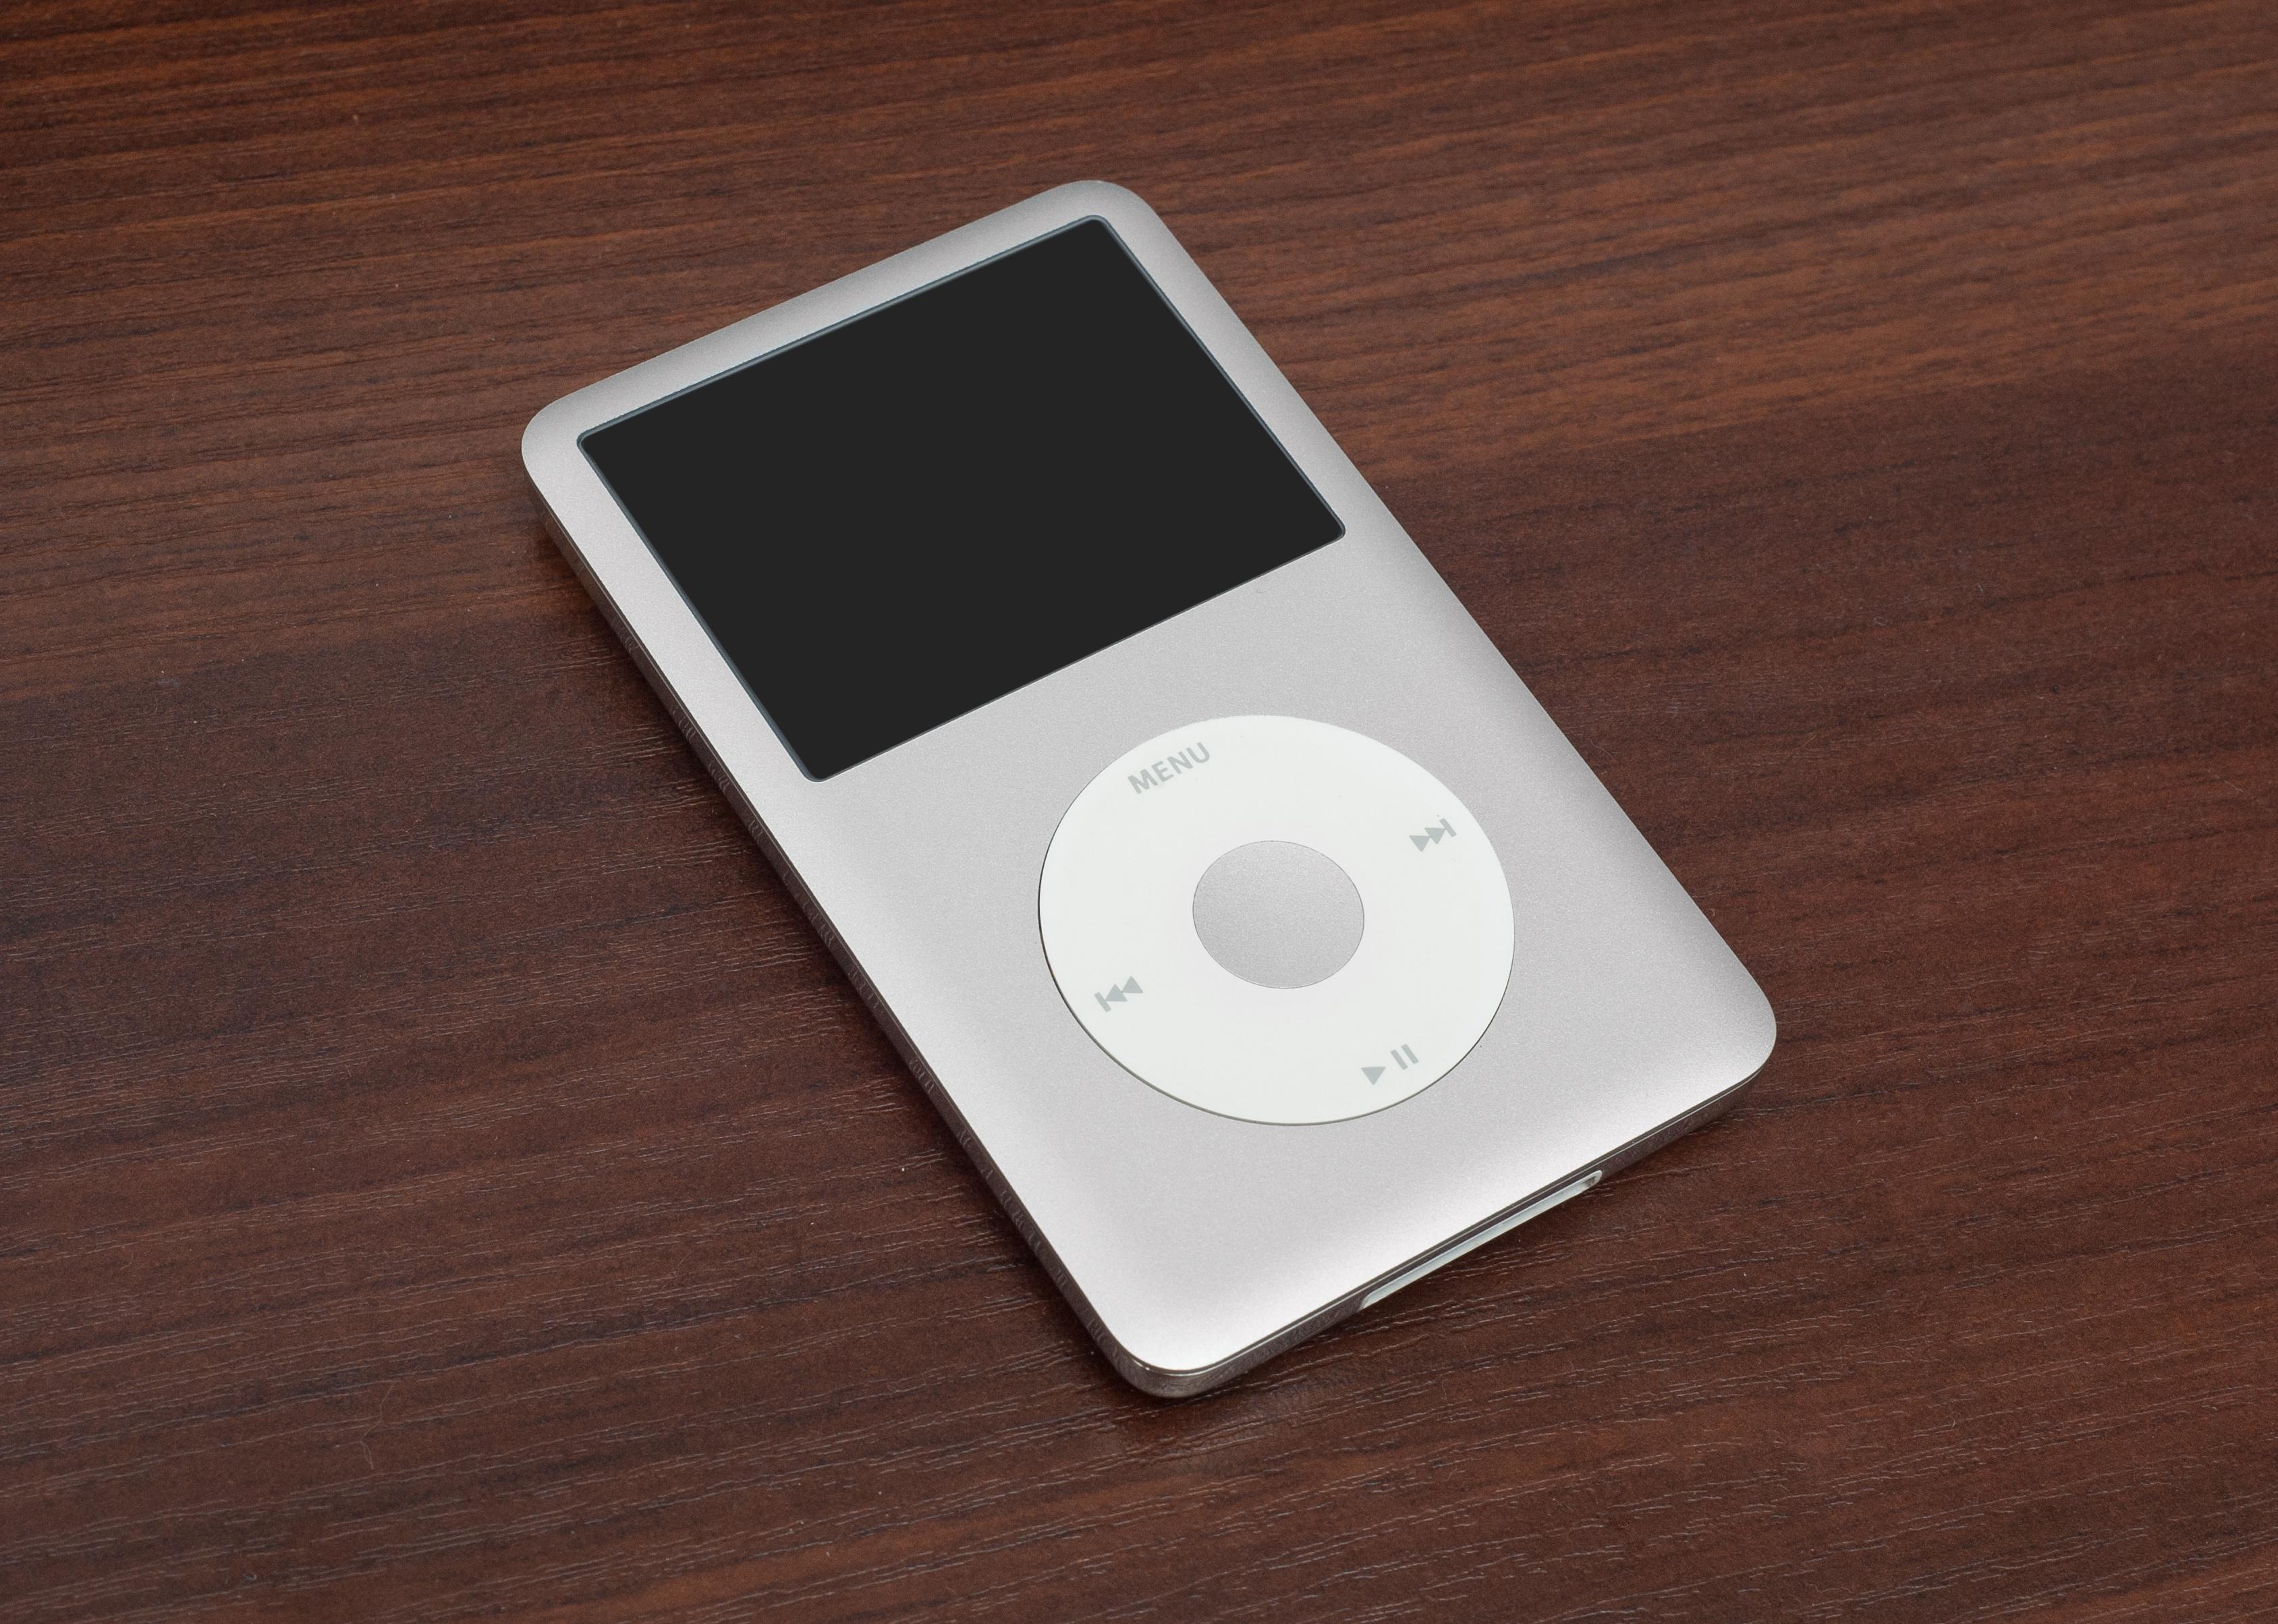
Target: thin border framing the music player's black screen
{"points": [[767, 356]]}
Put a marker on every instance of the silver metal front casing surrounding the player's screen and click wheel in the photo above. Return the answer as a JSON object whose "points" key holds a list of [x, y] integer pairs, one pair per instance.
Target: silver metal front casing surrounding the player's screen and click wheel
{"points": [[1190, 1238]]}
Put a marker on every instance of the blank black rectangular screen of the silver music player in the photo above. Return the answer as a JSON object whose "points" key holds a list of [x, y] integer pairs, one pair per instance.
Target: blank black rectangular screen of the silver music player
{"points": [[949, 498]]}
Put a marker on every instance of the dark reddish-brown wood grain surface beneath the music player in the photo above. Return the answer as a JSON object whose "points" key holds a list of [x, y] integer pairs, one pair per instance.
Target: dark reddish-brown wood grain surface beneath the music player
{"points": [[441, 1176]]}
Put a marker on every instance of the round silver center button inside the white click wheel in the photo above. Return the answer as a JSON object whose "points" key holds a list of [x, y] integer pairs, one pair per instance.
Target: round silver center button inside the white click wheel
{"points": [[1279, 914]]}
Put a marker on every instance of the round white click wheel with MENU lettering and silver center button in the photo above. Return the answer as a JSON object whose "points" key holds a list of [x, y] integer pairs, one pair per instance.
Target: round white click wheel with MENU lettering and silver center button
{"points": [[1277, 919]]}
